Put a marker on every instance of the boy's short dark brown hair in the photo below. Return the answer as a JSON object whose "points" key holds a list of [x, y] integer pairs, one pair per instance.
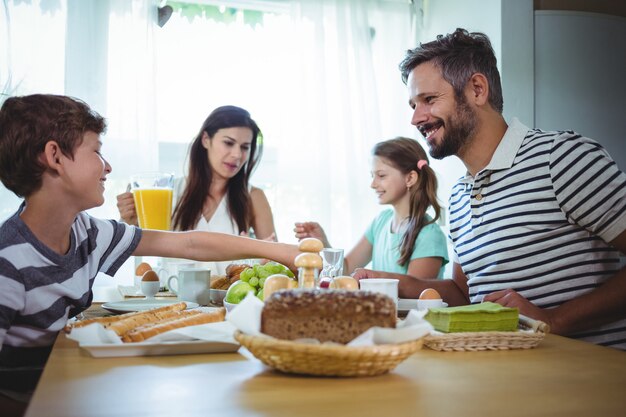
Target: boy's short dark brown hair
{"points": [[27, 123]]}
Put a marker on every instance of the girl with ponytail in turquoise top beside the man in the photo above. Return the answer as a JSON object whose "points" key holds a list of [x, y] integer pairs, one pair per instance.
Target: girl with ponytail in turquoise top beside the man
{"points": [[402, 239]]}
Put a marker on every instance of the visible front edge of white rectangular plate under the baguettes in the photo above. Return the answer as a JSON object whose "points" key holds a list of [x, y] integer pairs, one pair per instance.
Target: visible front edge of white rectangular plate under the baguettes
{"points": [[156, 349]]}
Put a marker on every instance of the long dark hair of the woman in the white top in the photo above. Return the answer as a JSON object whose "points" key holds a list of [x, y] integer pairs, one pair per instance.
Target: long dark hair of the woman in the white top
{"points": [[189, 207]]}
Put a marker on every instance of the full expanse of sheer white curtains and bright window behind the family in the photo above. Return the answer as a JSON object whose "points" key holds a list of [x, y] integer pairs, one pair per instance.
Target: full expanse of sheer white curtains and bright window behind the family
{"points": [[320, 78]]}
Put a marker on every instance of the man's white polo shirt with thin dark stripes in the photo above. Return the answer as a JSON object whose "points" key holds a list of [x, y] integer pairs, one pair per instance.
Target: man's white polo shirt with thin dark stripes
{"points": [[538, 219]]}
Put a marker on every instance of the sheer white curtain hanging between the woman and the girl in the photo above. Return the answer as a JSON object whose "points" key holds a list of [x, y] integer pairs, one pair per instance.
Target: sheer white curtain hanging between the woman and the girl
{"points": [[335, 117]]}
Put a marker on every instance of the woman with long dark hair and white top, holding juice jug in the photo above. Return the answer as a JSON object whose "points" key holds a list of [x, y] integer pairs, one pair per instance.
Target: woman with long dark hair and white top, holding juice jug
{"points": [[217, 195]]}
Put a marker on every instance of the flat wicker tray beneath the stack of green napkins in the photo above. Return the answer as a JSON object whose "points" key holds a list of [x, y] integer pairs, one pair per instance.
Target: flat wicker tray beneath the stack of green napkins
{"points": [[530, 334]]}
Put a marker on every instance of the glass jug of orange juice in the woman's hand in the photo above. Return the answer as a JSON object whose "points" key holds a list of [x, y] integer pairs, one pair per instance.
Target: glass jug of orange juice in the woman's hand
{"points": [[152, 192]]}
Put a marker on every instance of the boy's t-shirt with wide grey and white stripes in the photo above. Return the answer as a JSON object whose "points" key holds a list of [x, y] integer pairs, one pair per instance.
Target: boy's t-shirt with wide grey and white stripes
{"points": [[41, 288]]}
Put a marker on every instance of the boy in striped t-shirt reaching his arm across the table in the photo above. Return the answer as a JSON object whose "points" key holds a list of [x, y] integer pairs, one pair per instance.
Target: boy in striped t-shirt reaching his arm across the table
{"points": [[51, 250]]}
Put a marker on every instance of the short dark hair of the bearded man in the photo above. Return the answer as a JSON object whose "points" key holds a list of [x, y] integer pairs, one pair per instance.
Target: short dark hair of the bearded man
{"points": [[459, 55]]}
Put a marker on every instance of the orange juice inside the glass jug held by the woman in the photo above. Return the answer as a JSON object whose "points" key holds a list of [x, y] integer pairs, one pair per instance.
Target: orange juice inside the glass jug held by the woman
{"points": [[154, 208]]}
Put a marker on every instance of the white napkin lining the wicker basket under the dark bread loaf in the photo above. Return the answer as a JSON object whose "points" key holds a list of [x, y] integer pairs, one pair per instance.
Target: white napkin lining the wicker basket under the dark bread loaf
{"points": [[246, 317]]}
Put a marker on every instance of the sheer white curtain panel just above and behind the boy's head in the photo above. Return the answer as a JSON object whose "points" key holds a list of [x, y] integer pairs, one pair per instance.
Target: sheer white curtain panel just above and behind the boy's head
{"points": [[122, 58]]}
